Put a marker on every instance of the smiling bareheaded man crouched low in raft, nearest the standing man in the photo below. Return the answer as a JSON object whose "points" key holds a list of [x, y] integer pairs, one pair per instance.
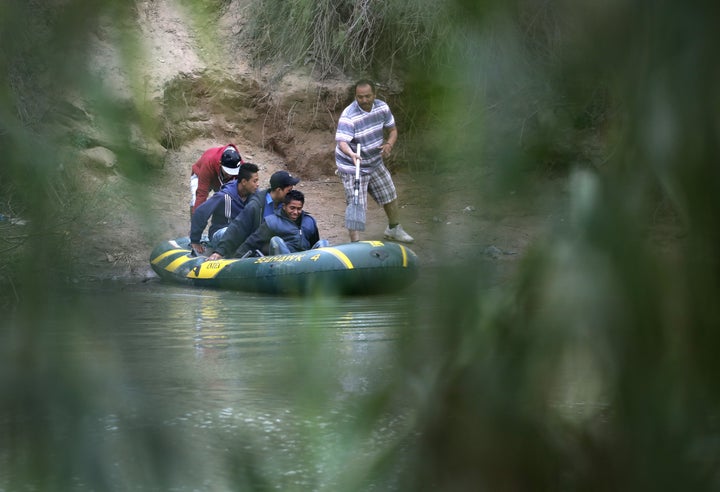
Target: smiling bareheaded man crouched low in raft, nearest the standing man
{"points": [[288, 230]]}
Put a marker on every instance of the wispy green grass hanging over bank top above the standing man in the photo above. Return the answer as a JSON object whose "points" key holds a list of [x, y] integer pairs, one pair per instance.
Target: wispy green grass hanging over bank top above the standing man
{"points": [[343, 36]]}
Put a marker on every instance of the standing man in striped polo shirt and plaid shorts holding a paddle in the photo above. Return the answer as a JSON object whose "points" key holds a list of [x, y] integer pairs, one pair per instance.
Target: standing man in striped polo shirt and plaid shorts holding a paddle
{"points": [[365, 122]]}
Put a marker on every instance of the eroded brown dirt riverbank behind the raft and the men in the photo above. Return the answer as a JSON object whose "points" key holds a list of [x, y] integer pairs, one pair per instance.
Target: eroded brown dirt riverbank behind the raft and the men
{"points": [[279, 121]]}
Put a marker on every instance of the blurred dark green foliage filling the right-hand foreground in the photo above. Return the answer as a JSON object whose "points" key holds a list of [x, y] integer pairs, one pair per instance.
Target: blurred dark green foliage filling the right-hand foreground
{"points": [[595, 374]]}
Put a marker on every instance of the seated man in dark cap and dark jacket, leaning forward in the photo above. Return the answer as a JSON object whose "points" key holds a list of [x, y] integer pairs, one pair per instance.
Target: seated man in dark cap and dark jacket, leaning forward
{"points": [[261, 205]]}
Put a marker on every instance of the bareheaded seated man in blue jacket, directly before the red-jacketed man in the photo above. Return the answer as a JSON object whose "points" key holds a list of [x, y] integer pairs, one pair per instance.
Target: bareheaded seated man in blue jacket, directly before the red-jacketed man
{"points": [[222, 207]]}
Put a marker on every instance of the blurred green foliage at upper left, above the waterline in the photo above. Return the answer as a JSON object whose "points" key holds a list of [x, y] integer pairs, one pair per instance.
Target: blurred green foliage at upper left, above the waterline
{"points": [[44, 50]]}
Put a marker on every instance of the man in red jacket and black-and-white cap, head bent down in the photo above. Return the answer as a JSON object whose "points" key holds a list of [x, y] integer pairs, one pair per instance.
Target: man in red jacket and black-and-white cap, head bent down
{"points": [[215, 167]]}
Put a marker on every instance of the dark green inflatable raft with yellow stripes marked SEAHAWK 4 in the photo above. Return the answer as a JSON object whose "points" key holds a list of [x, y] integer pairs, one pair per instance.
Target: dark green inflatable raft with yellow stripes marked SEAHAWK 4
{"points": [[361, 268]]}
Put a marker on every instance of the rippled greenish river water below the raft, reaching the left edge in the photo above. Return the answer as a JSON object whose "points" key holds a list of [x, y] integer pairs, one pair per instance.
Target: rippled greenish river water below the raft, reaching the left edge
{"points": [[153, 386]]}
